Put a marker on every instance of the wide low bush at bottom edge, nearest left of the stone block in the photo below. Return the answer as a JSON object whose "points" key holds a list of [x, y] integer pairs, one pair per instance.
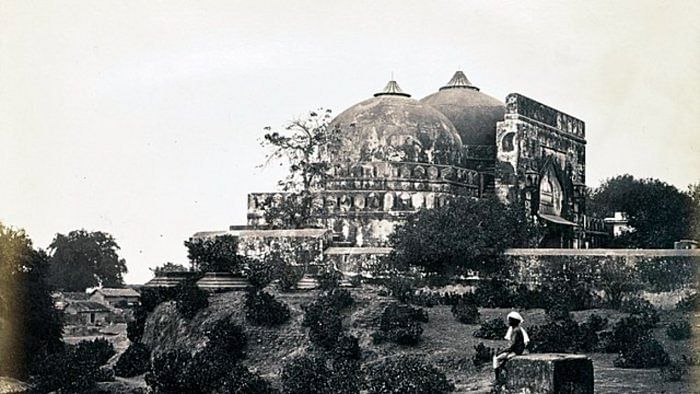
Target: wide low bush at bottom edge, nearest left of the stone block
{"points": [[405, 374]]}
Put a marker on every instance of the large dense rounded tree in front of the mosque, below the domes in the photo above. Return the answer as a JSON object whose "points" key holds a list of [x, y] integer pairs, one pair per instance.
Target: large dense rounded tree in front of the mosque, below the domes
{"points": [[466, 234]]}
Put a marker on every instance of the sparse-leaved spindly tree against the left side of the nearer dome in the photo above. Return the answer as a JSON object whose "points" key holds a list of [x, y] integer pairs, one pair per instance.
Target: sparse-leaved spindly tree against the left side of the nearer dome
{"points": [[305, 145]]}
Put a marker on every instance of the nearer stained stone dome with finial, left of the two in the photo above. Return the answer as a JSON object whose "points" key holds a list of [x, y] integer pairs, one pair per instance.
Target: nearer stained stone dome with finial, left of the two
{"points": [[392, 127]]}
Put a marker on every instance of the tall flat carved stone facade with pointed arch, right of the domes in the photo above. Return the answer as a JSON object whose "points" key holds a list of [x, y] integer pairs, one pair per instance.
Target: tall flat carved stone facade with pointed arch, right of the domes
{"points": [[541, 163]]}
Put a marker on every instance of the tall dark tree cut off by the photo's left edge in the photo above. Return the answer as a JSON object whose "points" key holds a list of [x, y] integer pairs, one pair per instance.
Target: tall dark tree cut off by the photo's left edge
{"points": [[29, 323]]}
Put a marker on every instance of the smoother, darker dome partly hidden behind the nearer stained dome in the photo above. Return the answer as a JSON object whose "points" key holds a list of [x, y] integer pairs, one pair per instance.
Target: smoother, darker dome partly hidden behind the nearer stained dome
{"points": [[473, 114]]}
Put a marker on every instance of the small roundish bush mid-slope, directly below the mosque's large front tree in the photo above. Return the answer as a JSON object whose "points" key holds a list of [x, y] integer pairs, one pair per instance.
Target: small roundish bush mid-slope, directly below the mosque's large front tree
{"points": [[401, 324]]}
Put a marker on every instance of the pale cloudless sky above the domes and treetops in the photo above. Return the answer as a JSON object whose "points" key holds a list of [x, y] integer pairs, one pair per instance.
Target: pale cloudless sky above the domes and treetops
{"points": [[142, 118]]}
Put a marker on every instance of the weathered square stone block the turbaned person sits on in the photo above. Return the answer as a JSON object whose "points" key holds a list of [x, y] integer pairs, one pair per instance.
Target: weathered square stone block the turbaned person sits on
{"points": [[547, 373]]}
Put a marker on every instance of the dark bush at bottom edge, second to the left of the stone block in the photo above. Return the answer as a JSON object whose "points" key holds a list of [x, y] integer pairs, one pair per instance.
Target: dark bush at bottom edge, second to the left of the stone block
{"points": [[312, 375]]}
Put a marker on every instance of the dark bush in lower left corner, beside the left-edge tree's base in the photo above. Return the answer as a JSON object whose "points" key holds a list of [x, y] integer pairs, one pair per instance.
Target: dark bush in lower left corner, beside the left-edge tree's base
{"points": [[74, 369]]}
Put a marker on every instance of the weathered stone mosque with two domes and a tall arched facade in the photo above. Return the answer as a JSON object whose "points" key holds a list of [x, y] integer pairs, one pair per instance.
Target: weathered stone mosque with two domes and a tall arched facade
{"points": [[397, 155]]}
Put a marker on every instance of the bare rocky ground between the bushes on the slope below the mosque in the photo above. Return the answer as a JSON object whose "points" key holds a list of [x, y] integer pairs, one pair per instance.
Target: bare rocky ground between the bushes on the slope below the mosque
{"points": [[447, 343]]}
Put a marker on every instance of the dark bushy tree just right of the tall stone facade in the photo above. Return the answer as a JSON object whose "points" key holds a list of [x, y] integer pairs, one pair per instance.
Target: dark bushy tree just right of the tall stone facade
{"points": [[658, 212]]}
